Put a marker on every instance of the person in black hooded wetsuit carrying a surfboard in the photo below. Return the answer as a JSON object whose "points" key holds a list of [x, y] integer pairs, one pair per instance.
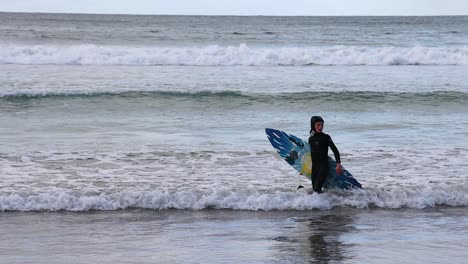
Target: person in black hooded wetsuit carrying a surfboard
{"points": [[319, 143]]}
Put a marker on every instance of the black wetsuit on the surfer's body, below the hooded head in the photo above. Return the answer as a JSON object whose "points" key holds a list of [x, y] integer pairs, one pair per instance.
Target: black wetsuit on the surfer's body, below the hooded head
{"points": [[319, 143]]}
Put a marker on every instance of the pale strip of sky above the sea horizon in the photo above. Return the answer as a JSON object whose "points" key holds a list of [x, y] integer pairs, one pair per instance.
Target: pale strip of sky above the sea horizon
{"points": [[244, 7]]}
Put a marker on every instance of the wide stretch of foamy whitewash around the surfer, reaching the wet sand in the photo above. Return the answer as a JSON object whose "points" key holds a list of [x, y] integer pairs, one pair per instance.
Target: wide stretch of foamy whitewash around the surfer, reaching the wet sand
{"points": [[236, 180]]}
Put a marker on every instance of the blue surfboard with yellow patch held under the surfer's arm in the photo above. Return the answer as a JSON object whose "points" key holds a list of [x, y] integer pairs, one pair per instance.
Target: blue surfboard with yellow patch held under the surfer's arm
{"points": [[296, 152]]}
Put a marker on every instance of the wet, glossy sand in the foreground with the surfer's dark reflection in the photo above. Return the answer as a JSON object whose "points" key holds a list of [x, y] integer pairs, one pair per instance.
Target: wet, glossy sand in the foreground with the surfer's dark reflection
{"points": [[341, 235]]}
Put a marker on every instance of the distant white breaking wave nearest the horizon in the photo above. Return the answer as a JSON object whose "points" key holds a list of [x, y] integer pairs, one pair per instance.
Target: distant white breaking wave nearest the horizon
{"points": [[215, 55]]}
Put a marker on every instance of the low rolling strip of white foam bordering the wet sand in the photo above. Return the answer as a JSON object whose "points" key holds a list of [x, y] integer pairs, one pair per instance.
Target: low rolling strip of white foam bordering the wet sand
{"points": [[247, 199]]}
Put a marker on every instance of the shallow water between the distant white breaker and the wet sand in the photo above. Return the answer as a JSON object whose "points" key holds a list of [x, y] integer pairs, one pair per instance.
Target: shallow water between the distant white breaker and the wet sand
{"points": [[80, 143]]}
